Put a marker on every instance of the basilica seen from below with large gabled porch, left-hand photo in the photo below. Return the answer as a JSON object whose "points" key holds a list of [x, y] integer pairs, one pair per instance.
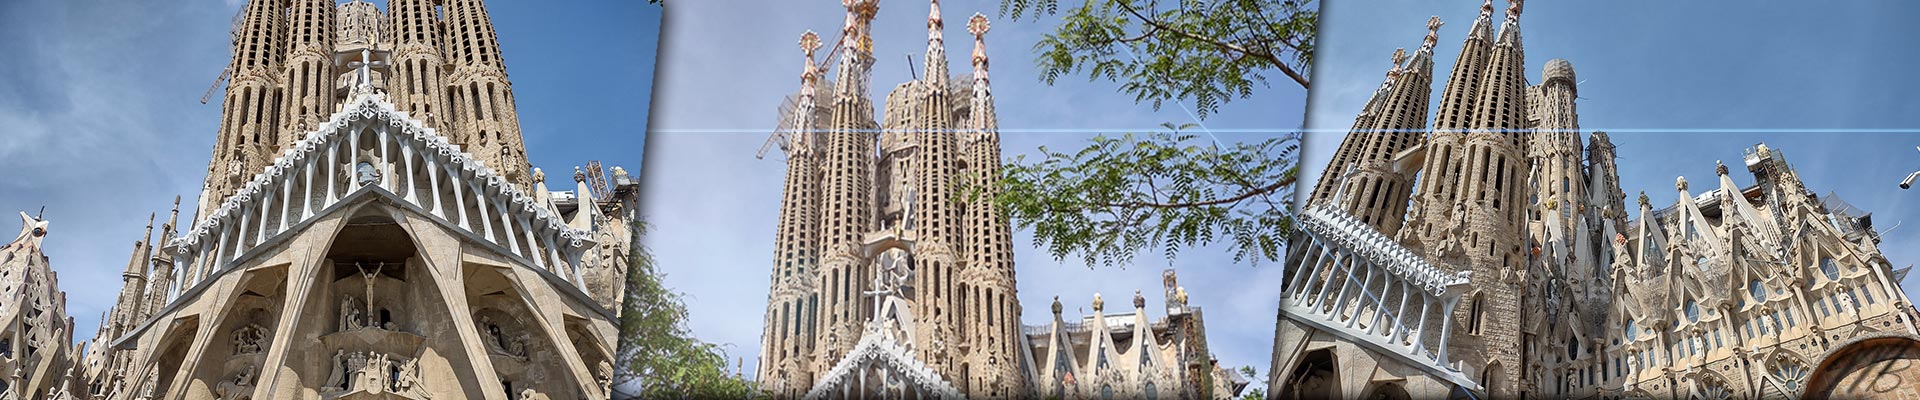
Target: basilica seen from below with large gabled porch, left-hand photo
{"points": [[370, 230]]}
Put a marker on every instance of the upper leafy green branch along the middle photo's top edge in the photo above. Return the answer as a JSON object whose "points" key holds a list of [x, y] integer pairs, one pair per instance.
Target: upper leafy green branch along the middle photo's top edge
{"points": [[1203, 51]]}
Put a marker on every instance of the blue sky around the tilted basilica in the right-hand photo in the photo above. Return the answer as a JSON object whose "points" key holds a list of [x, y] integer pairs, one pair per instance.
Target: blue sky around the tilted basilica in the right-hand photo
{"points": [[1685, 84]]}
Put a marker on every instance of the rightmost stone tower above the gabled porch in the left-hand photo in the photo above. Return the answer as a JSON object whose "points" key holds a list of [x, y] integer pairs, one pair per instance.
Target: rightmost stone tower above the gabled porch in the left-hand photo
{"points": [[481, 95]]}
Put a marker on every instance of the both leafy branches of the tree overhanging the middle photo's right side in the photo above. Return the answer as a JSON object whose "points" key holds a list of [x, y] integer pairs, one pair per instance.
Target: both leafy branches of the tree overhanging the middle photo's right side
{"points": [[1168, 189]]}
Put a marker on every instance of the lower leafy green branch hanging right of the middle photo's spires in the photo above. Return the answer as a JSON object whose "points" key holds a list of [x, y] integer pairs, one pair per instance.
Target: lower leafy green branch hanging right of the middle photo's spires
{"points": [[1118, 197]]}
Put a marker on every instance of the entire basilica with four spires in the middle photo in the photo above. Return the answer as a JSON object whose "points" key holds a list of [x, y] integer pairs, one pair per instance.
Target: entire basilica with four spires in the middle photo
{"points": [[890, 282]]}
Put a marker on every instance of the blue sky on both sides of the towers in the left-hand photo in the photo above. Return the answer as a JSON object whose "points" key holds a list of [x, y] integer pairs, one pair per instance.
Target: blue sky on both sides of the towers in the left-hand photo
{"points": [[101, 114]]}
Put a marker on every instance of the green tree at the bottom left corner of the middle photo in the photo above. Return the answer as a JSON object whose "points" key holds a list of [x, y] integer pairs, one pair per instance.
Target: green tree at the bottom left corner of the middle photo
{"points": [[660, 357]]}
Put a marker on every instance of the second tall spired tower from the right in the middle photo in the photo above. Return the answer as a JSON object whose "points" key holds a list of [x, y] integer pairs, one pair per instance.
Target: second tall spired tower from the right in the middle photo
{"points": [[934, 211]]}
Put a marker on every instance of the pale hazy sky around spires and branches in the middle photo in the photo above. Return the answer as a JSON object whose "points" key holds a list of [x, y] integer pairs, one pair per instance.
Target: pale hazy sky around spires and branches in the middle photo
{"points": [[725, 70]]}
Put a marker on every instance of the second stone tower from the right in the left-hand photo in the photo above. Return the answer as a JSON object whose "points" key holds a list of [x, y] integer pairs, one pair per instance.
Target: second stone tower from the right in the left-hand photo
{"points": [[420, 82]]}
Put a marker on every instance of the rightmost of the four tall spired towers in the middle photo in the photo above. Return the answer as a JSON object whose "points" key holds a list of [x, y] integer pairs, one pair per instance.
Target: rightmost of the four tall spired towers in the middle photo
{"points": [[992, 309]]}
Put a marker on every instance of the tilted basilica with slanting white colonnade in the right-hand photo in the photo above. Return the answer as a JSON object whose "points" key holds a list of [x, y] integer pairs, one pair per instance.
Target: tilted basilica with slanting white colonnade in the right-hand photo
{"points": [[1495, 255]]}
